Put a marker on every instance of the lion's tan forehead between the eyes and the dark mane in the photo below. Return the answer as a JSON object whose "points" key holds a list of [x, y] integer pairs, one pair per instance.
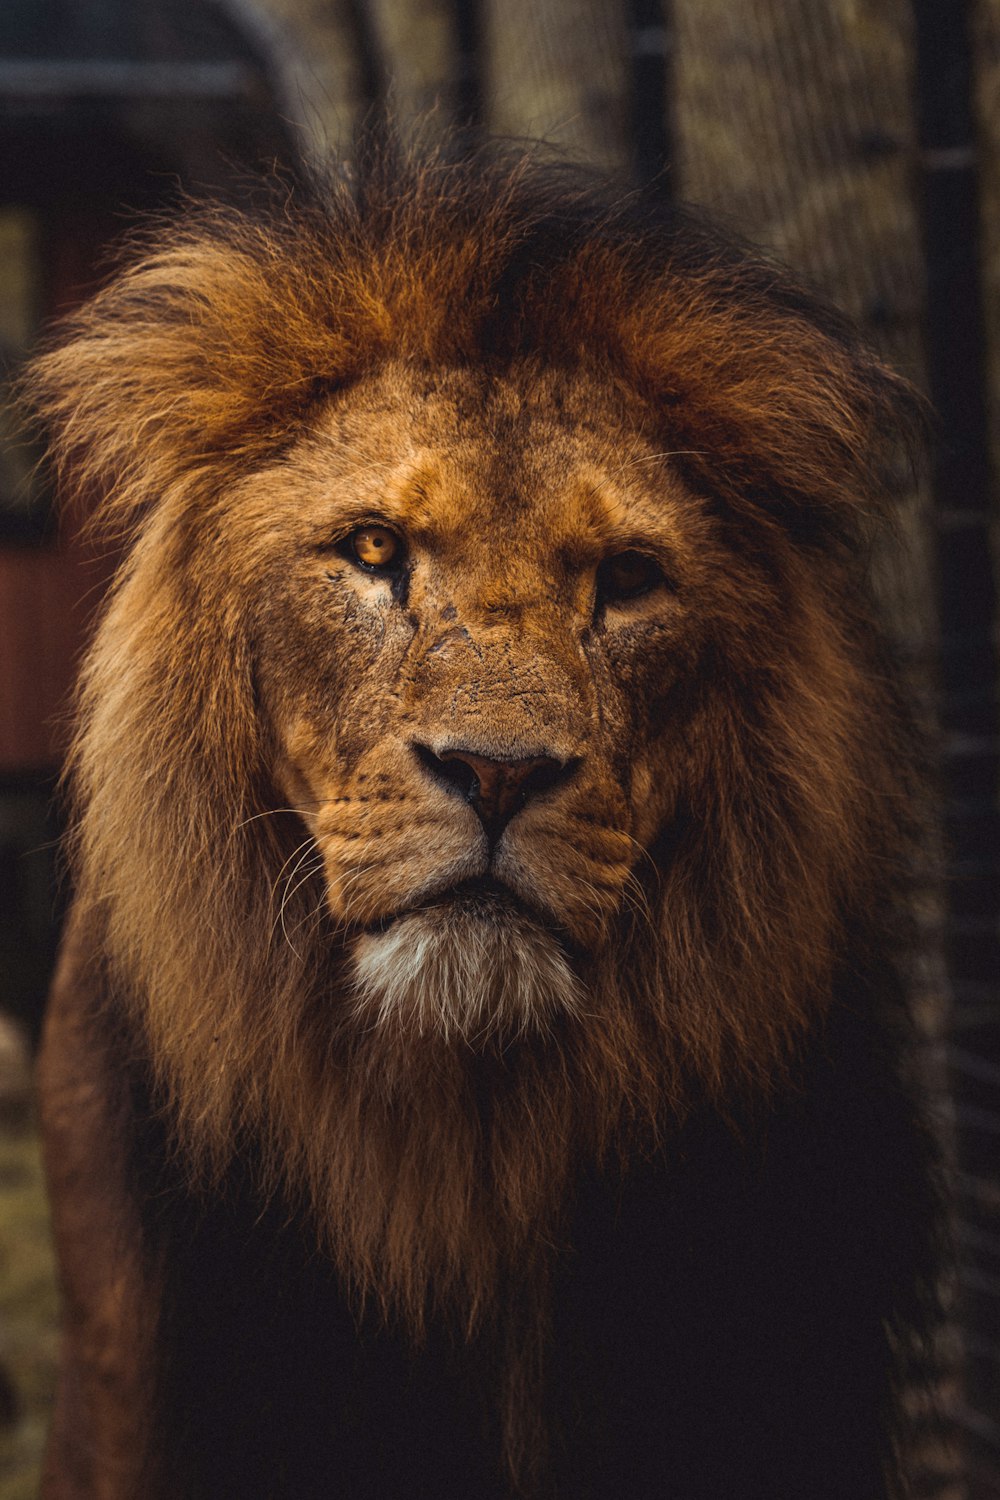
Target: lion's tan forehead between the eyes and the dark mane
{"points": [[516, 467]]}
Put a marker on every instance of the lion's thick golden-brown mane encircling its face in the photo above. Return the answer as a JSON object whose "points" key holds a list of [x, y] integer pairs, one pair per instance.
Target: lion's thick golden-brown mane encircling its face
{"points": [[785, 863]]}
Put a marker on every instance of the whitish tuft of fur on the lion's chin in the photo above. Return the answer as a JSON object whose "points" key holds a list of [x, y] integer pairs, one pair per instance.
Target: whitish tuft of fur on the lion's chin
{"points": [[460, 974]]}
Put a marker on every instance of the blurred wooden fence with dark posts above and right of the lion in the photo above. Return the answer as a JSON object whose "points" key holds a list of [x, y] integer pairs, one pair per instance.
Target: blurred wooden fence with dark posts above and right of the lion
{"points": [[860, 140]]}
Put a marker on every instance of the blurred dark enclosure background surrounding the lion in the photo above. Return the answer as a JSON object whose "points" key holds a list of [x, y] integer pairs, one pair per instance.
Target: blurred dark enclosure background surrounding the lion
{"points": [[857, 139]]}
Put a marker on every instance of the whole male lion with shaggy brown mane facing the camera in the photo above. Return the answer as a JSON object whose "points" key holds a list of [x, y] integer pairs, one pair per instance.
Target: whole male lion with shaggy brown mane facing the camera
{"points": [[481, 1061]]}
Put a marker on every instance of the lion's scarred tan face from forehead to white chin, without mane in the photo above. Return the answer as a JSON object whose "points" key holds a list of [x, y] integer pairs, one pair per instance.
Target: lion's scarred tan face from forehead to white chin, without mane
{"points": [[482, 611]]}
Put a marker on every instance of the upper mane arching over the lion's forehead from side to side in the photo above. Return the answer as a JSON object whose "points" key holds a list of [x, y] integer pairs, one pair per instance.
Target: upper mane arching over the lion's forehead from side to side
{"points": [[224, 329]]}
